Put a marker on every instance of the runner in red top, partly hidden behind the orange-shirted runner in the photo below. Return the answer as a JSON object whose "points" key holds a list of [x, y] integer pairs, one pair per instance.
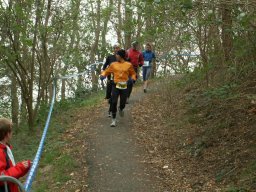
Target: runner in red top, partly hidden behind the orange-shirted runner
{"points": [[136, 58]]}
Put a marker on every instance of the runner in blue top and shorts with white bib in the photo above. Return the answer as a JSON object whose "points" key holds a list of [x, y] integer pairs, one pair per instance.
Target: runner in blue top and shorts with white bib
{"points": [[149, 59]]}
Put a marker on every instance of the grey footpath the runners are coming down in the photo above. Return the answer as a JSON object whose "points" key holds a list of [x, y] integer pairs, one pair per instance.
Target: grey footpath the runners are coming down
{"points": [[114, 160]]}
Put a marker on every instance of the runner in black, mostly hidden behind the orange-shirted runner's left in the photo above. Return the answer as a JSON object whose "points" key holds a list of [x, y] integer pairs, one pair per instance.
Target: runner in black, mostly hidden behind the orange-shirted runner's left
{"points": [[110, 59]]}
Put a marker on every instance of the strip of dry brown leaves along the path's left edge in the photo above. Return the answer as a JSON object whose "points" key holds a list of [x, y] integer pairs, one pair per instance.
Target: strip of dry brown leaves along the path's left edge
{"points": [[78, 124]]}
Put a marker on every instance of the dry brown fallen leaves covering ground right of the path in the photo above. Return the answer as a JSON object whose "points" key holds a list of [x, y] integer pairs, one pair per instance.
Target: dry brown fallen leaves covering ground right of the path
{"points": [[183, 156]]}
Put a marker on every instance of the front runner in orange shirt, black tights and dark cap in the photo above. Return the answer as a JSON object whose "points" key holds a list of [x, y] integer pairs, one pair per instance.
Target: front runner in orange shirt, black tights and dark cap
{"points": [[122, 70]]}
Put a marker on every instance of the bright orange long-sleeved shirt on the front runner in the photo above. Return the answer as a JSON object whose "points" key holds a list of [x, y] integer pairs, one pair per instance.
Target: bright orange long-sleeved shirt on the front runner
{"points": [[121, 70]]}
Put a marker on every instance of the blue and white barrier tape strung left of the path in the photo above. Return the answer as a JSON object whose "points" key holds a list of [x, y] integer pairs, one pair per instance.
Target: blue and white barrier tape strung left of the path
{"points": [[35, 163]]}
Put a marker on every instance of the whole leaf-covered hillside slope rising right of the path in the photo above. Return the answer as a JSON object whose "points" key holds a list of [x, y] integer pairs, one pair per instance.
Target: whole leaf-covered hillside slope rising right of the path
{"points": [[198, 141]]}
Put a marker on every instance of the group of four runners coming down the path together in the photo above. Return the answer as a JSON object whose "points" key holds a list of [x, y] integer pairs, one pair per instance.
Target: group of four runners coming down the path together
{"points": [[122, 71]]}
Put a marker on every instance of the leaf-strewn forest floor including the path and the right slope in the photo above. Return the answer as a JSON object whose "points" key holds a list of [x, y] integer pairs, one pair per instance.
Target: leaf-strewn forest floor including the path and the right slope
{"points": [[171, 139]]}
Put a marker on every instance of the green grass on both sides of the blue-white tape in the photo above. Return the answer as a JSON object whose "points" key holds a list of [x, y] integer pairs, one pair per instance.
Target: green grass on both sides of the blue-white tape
{"points": [[61, 164]]}
